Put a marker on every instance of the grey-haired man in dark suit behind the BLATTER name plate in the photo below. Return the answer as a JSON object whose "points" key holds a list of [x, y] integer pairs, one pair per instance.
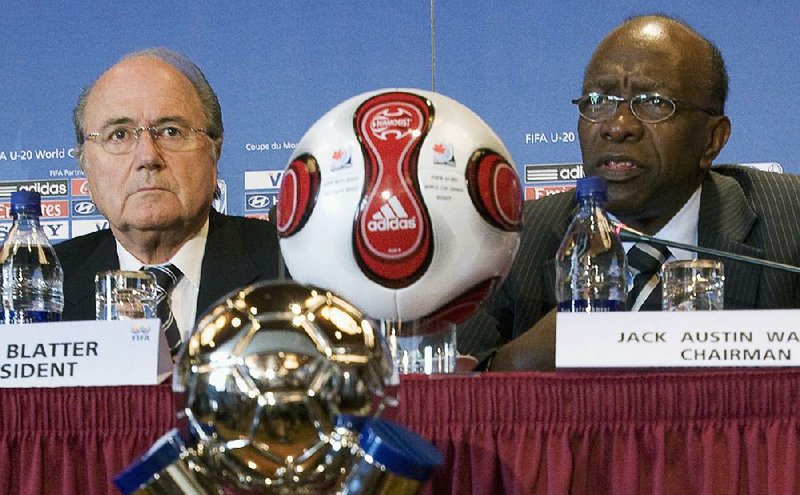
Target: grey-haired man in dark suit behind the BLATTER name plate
{"points": [[149, 134]]}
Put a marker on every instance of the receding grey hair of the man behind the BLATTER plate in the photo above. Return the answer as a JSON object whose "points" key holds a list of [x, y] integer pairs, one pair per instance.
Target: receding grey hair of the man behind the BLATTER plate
{"points": [[208, 98]]}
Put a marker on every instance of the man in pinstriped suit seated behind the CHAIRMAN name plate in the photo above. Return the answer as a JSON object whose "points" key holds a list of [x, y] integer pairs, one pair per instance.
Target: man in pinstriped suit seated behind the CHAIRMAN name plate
{"points": [[651, 123]]}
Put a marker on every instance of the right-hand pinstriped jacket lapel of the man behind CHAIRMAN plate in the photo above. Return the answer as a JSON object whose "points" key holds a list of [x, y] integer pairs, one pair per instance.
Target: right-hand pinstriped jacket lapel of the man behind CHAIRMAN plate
{"points": [[725, 223]]}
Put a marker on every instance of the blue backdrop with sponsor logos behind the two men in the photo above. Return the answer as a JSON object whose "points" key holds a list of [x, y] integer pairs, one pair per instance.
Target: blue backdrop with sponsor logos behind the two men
{"points": [[277, 66]]}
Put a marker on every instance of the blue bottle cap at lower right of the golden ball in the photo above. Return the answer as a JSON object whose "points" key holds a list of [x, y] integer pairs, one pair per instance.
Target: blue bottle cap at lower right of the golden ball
{"points": [[401, 451]]}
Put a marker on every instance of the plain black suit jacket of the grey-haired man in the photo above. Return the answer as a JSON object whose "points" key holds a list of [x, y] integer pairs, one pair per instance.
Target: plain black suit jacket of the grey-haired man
{"points": [[239, 251]]}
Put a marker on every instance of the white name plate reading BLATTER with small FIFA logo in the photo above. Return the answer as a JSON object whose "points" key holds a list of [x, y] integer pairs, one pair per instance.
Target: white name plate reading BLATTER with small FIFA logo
{"points": [[83, 353]]}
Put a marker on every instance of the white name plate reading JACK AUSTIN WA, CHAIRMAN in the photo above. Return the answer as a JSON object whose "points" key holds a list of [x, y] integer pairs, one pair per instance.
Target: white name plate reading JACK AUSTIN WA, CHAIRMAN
{"points": [[747, 338]]}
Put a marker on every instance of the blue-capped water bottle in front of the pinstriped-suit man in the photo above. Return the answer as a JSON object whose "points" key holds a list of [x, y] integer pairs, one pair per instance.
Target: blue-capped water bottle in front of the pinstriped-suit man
{"points": [[591, 267]]}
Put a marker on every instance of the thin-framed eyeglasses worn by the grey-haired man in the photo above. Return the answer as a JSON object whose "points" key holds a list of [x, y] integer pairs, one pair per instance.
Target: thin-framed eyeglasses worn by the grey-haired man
{"points": [[121, 139]]}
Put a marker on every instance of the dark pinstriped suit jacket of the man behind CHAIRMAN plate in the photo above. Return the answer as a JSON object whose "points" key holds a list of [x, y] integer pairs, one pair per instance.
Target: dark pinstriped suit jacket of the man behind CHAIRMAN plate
{"points": [[742, 211]]}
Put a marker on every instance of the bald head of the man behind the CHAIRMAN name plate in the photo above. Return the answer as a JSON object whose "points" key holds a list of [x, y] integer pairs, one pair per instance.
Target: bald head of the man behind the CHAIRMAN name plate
{"points": [[654, 165]]}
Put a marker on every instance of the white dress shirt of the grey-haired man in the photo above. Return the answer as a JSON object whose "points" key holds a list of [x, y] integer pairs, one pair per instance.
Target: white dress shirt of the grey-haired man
{"points": [[189, 259]]}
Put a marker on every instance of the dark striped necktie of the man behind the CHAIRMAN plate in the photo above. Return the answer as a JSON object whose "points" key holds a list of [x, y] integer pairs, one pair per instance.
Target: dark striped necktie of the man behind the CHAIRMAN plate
{"points": [[644, 261]]}
